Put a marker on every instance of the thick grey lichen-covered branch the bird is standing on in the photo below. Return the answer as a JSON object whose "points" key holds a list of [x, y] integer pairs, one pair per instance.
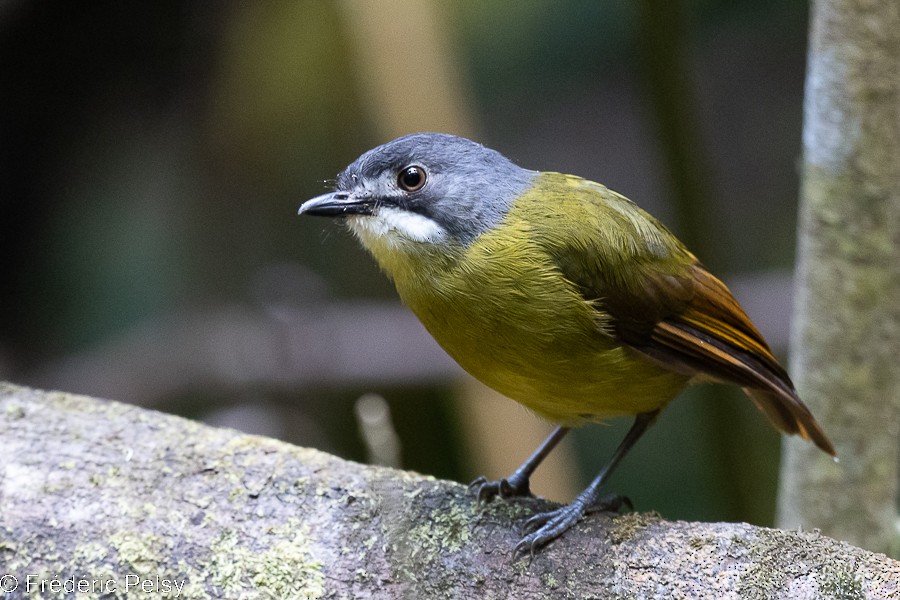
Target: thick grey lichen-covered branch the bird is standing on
{"points": [[111, 497]]}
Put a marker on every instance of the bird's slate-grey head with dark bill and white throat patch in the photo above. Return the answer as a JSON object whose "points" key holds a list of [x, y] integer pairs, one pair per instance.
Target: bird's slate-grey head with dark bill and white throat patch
{"points": [[425, 187]]}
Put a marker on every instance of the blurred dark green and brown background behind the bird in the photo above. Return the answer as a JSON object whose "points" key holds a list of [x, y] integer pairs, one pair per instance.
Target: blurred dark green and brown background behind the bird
{"points": [[153, 156]]}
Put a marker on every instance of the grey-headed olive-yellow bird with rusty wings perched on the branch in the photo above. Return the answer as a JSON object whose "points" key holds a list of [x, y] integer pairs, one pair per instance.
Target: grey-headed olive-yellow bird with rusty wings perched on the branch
{"points": [[558, 293]]}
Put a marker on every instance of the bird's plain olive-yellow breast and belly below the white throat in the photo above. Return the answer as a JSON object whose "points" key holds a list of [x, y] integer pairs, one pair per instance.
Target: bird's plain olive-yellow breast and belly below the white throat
{"points": [[528, 334]]}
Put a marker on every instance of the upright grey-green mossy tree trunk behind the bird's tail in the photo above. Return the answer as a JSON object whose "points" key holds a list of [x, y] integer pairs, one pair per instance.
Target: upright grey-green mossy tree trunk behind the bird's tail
{"points": [[846, 336]]}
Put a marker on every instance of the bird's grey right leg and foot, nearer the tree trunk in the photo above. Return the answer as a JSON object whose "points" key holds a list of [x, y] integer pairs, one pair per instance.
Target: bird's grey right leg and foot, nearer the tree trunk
{"points": [[546, 527]]}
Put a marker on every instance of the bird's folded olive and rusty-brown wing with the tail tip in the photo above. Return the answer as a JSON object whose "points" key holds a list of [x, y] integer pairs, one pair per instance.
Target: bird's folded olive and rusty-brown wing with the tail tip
{"points": [[663, 303]]}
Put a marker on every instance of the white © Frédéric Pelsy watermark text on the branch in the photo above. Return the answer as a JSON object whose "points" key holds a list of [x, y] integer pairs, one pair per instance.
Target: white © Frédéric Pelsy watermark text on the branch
{"points": [[32, 584]]}
